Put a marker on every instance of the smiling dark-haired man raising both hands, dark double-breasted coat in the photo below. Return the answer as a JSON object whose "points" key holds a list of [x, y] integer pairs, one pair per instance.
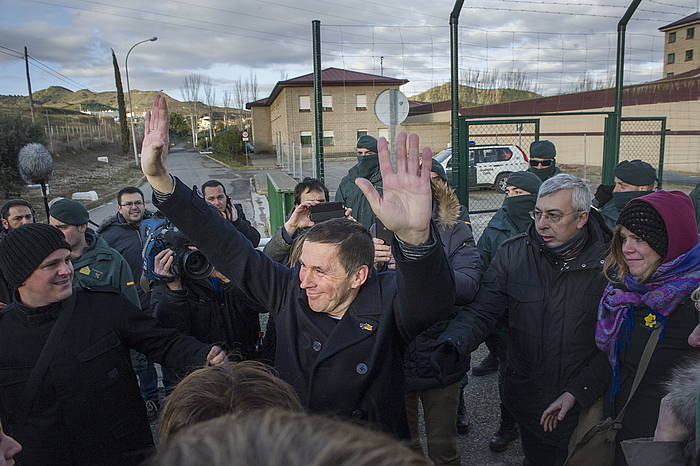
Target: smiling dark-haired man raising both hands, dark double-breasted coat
{"points": [[341, 327]]}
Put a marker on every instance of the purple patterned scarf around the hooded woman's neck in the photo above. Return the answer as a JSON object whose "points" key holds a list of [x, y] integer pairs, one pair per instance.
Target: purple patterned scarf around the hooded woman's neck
{"points": [[672, 282]]}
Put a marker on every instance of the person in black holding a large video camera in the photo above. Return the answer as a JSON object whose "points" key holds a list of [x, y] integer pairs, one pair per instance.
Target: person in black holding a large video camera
{"points": [[207, 307]]}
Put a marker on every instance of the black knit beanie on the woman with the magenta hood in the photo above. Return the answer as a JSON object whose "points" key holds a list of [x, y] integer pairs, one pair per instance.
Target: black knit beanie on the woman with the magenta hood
{"points": [[644, 221]]}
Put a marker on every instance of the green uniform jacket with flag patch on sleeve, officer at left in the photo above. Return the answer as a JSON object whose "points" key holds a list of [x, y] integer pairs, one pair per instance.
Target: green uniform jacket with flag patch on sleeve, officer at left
{"points": [[101, 265]]}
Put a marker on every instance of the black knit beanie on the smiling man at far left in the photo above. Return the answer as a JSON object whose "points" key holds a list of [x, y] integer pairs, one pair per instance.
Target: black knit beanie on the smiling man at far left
{"points": [[24, 248]]}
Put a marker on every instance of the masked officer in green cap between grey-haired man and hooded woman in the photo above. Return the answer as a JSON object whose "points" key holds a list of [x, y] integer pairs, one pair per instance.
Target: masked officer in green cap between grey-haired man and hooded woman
{"points": [[633, 178]]}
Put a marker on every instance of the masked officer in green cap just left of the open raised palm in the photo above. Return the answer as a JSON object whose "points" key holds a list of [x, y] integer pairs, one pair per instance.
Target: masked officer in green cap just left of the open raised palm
{"points": [[367, 167]]}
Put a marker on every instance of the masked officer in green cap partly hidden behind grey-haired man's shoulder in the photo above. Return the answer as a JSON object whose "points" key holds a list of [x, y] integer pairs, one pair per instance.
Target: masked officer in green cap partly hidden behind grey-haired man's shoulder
{"points": [[513, 218]]}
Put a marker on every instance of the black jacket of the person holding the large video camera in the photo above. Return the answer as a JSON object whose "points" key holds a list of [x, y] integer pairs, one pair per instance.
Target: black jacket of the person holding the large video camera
{"points": [[209, 315]]}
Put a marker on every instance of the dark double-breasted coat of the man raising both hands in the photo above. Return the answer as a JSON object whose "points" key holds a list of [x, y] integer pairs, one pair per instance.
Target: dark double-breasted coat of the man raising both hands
{"points": [[355, 371]]}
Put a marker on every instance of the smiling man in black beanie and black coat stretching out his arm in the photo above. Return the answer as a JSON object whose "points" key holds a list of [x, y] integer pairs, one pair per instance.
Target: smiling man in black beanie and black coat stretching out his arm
{"points": [[67, 390]]}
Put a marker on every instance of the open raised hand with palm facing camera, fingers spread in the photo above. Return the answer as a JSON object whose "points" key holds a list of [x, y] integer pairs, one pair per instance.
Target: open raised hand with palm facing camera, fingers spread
{"points": [[405, 206]]}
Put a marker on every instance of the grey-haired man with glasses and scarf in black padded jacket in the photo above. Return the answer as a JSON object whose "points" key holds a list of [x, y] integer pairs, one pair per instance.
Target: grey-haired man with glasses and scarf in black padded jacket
{"points": [[548, 281]]}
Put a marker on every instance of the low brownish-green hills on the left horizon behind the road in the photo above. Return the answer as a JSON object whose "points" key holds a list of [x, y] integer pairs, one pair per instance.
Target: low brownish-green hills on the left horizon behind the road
{"points": [[60, 97]]}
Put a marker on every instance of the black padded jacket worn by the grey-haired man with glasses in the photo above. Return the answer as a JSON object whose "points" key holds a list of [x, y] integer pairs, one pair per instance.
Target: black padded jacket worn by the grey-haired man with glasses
{"points": [[552, 313]]}
